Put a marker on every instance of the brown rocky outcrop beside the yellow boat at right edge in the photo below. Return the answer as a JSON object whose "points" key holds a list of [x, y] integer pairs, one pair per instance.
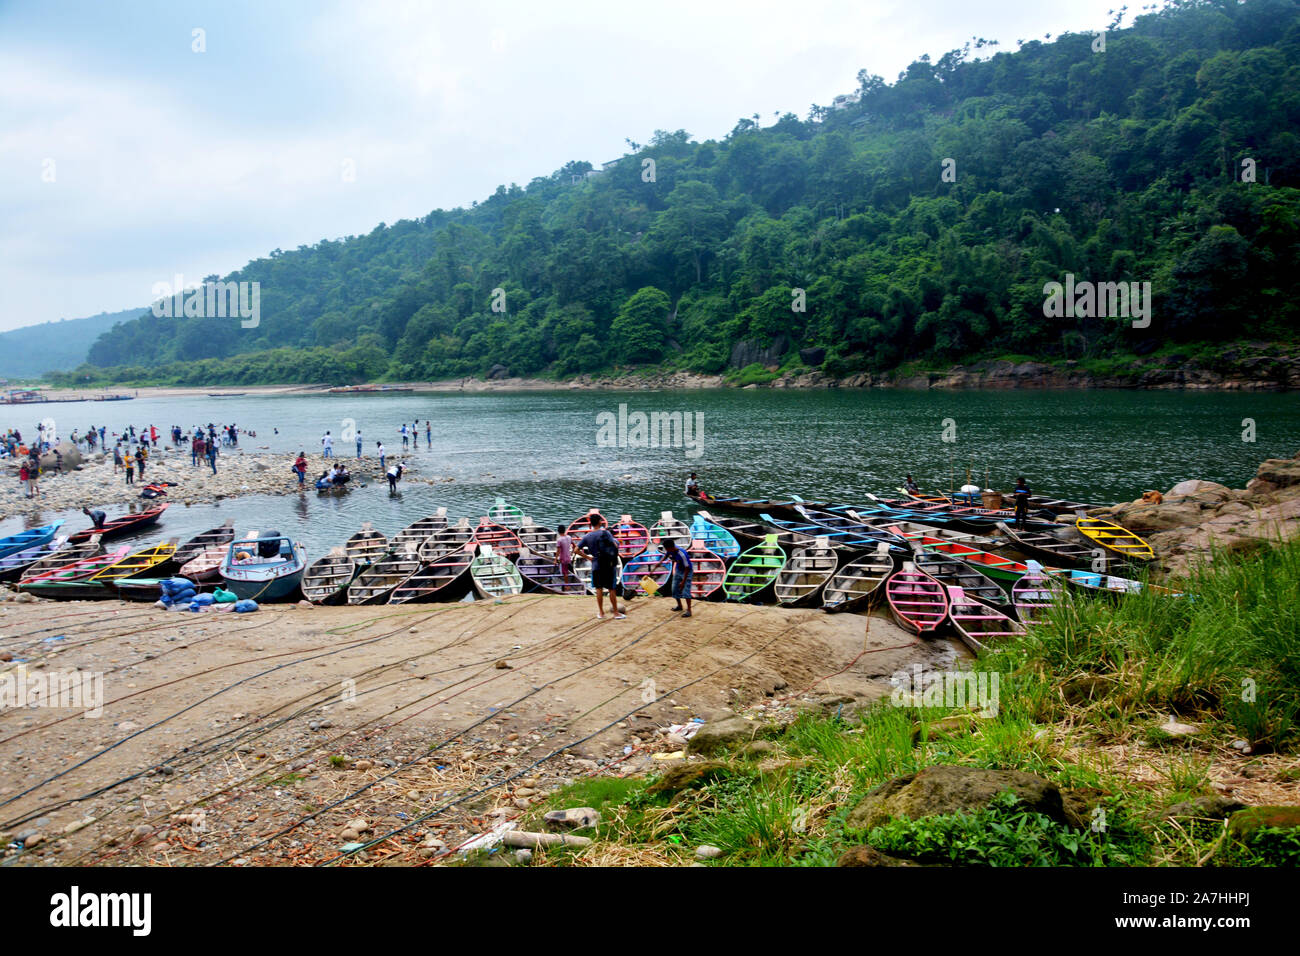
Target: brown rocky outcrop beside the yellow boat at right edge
{"points": [[1198, 518]]}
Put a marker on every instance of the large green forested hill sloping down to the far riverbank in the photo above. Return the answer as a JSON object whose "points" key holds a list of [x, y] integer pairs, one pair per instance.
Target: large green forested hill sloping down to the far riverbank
{"points": [[1124, 165]]}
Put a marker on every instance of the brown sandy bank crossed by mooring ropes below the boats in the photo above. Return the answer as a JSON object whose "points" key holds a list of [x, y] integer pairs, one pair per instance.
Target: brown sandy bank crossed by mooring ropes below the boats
{"points": [[294, 710]]}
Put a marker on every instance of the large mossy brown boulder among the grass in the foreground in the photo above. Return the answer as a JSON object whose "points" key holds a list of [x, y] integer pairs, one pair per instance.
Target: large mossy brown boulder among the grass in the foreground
{"points": [[946, 789]]}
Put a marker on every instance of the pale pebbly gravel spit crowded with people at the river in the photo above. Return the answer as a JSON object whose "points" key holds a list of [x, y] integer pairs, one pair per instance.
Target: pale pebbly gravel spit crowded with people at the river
{"points": [[240, 471]]}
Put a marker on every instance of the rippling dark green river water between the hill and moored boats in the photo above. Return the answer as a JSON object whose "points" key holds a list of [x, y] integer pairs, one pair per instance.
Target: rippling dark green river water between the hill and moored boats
{"points": [[540, 449]]}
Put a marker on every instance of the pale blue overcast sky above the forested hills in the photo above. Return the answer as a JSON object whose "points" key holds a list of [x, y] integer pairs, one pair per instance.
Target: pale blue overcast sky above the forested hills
{"points": [[128, 158]]}
